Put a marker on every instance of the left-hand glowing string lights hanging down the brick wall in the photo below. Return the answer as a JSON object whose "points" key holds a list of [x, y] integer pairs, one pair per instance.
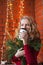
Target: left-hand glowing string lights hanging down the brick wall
{"points": [[9, 12]]}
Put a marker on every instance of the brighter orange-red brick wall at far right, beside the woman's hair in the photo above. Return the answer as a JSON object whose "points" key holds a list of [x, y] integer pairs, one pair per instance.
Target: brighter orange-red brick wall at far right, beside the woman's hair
{"points": [[39, 20]]}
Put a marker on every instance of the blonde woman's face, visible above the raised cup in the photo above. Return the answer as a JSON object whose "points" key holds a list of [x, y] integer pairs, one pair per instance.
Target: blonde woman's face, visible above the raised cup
{"points": [[25, 23]]}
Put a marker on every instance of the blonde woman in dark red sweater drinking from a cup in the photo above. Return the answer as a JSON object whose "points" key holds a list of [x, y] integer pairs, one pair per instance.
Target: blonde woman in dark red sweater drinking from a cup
{"points": [[29, 35]]}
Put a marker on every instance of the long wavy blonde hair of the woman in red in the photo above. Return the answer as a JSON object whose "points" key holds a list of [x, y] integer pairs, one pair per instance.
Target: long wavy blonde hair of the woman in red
{"points": [[34, 34]]}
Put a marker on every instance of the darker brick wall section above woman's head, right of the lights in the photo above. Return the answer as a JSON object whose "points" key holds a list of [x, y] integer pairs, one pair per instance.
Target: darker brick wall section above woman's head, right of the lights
{"points": [[29, 8]]}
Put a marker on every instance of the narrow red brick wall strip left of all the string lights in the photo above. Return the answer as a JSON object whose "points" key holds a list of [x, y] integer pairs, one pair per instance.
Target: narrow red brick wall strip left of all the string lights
{"points": [[2, 22]]}
